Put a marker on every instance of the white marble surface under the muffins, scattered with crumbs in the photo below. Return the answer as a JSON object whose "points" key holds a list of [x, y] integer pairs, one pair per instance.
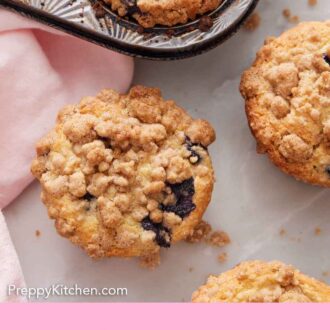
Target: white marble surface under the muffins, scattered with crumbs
{"points": [[252, 200]]}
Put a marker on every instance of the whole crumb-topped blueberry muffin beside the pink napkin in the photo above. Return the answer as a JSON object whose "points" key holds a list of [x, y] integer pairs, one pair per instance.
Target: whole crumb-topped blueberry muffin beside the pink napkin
{"points": [[125, 175]]}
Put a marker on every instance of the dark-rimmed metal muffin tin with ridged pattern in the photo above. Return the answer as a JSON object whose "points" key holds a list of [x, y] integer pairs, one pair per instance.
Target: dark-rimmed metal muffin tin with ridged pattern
{"points": [[78, 18]]}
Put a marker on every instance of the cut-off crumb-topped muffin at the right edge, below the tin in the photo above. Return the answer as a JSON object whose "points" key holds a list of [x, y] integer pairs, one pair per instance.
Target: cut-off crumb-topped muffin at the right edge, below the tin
{"points": [[287, 94]]}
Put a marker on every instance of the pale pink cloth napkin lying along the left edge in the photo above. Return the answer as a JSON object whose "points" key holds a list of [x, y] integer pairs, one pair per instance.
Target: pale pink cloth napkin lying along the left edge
{"points": [[41, 70]]}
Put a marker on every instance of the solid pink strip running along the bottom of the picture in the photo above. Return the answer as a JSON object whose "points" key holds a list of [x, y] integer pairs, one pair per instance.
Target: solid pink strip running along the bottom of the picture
{"points": [[164, 316]]}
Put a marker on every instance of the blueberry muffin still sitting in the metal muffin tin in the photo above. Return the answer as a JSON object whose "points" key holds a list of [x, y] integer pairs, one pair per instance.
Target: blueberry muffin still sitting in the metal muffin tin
{"points": [[148, 13]]}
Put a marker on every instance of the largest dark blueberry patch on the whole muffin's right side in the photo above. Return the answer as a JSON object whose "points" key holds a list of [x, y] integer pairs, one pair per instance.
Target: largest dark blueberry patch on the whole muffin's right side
{"points": [[184, 193]]}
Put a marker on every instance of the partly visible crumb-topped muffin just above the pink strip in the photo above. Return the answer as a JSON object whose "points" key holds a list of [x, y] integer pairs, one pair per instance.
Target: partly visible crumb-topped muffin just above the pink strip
{"points": [[262, 282]]}
